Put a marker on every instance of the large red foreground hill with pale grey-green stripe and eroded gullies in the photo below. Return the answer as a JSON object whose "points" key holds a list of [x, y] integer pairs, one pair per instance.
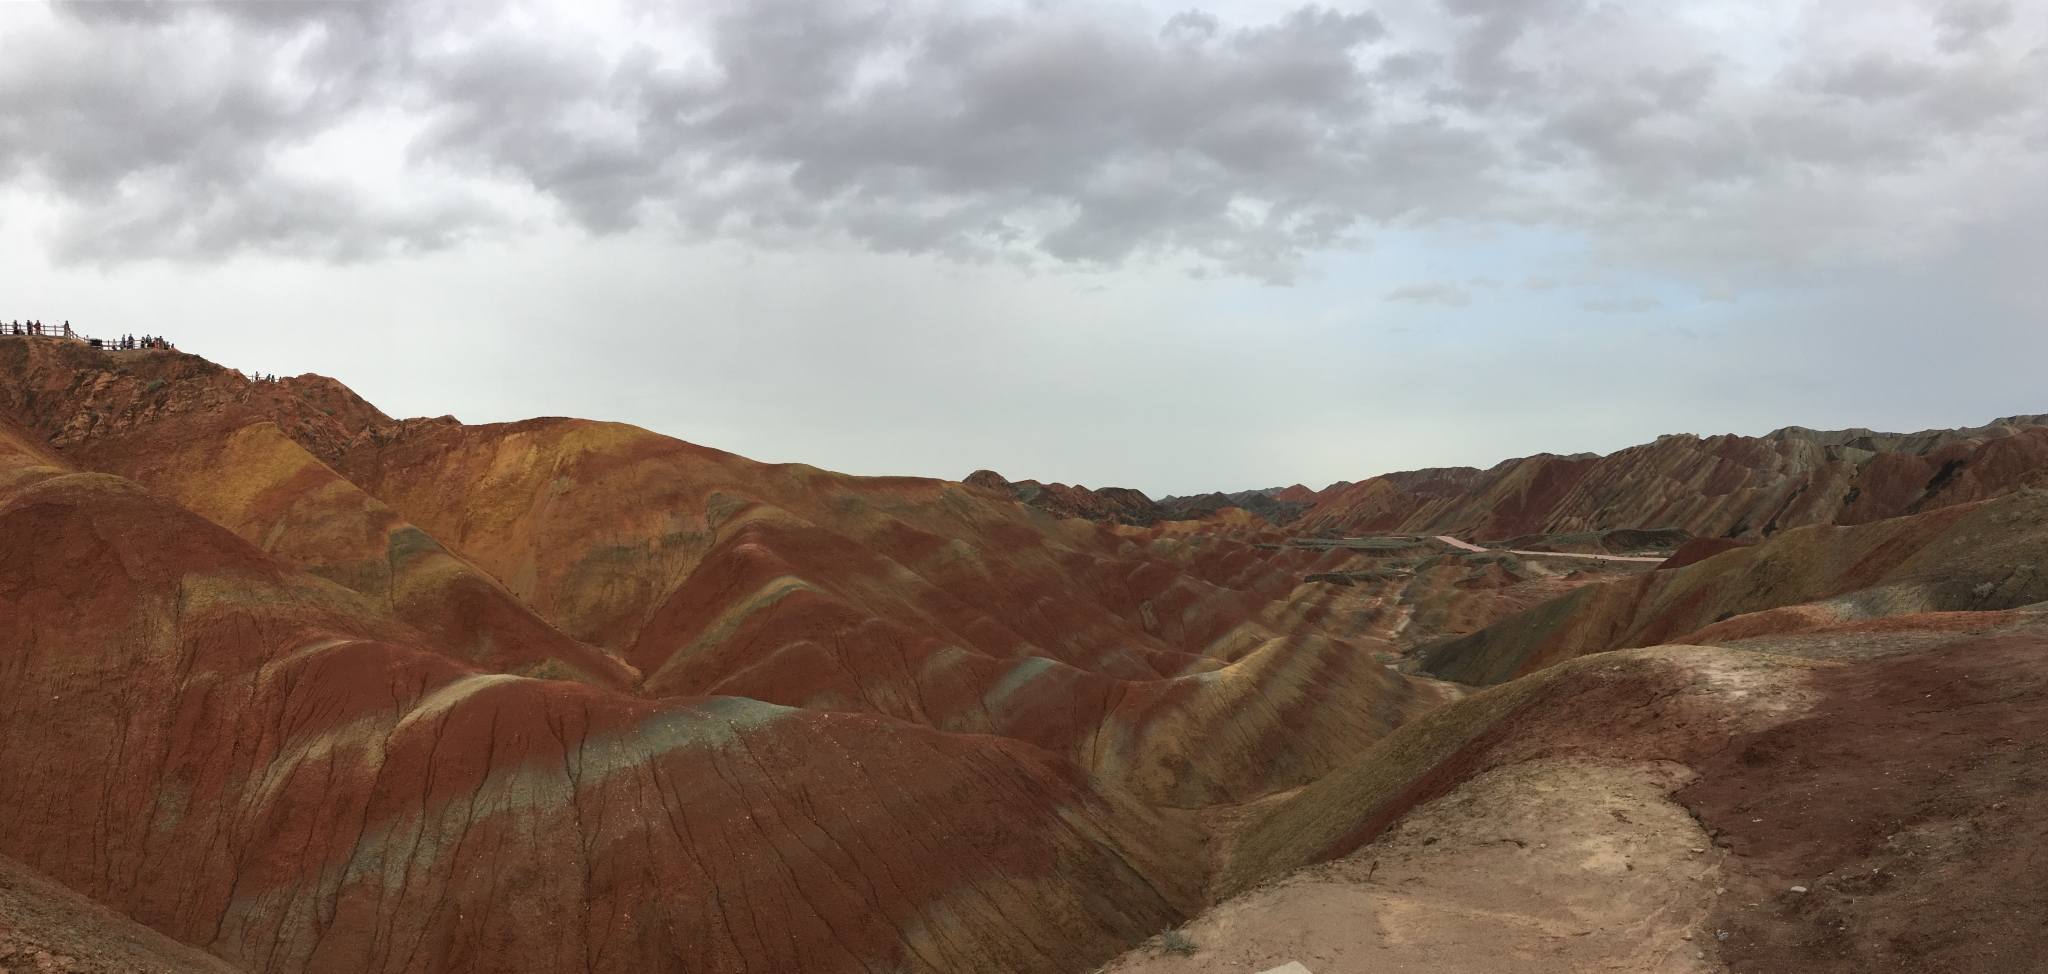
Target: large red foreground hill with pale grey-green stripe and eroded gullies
{"points": [[263, 764]]}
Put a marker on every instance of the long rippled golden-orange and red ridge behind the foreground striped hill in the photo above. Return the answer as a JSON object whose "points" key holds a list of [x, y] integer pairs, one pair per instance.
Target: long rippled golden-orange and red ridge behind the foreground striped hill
{"points": [[921, 601]]}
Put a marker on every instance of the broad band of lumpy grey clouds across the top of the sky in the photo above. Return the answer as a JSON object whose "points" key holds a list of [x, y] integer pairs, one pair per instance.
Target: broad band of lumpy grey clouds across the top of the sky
{"points": [[1043, 134]]}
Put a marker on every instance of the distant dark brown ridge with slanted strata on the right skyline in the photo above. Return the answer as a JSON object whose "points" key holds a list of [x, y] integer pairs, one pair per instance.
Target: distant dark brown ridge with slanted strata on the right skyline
{"points": [[1725, 486]]}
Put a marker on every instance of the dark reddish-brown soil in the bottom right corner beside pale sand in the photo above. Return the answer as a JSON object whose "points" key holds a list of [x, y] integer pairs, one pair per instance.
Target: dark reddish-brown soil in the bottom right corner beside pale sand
{"points": [[1910, 807]]}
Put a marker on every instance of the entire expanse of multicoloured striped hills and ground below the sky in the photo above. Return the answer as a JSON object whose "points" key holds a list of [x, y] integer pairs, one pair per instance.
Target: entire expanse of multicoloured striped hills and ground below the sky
{"points": [[310, 689]]}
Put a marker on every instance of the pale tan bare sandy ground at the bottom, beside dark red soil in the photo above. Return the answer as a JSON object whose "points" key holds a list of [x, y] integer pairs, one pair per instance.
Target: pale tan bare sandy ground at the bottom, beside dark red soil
{"points": [[1535, 869]]}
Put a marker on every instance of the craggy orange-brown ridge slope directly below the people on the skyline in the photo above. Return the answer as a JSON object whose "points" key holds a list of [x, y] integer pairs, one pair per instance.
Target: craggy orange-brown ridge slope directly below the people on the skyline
{"points": [[245, 457]]}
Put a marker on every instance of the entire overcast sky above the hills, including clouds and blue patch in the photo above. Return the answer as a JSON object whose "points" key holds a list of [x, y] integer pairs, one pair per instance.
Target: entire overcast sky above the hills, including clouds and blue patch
{"points": [[1166, 247]]}
